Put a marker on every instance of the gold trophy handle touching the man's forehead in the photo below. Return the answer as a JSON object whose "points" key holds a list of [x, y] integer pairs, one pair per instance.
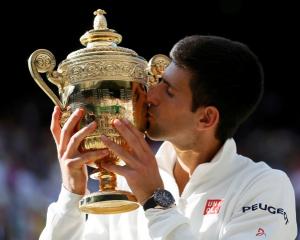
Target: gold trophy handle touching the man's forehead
{"points": [[156, 67]]}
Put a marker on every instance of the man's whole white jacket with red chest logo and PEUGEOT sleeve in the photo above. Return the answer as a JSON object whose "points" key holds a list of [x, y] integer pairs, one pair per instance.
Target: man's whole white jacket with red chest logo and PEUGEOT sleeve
{"points": [[230, 197]]}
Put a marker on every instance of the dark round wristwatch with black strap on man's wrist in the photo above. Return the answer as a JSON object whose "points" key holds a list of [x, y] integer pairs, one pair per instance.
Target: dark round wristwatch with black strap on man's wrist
{"points": [[161, 199]]}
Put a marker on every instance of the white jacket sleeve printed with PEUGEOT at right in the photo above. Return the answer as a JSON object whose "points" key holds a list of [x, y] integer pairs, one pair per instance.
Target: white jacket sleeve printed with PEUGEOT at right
{"points": [[266, 210]]}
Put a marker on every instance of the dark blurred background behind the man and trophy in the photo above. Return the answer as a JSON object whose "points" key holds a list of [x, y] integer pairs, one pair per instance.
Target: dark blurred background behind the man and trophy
{"points": [[29, 175]]}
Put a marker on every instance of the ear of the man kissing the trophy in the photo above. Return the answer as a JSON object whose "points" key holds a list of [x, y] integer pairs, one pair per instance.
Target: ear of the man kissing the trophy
{"points": [[208, 117]]}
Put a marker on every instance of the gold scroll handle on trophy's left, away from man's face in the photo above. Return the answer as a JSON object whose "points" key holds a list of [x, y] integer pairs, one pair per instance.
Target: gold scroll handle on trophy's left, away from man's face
{"points": [[43, 61]]}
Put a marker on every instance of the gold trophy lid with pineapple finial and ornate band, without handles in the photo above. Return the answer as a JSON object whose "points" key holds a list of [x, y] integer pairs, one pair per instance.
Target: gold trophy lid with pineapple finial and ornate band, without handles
{"points": [[102, 59]]}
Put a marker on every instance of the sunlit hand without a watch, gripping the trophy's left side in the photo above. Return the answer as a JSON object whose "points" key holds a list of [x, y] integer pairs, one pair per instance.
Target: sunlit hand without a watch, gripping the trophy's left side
{"points": [[72, 162]]}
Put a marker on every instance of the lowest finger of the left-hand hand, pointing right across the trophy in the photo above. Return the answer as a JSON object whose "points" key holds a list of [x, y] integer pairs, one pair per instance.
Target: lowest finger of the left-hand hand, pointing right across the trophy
{"points": [[86, 158]]}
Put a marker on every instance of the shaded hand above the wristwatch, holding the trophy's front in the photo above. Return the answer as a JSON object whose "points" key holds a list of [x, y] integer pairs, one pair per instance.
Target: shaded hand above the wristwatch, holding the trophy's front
{"points": [[141, 170]]}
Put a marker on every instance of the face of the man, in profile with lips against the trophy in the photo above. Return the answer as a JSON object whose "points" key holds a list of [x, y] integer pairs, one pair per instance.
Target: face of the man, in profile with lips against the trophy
{"points": [[170, 116]]}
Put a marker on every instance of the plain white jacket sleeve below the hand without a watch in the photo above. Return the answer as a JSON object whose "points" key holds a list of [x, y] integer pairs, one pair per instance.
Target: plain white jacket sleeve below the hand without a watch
{"points": [[64, 220]]}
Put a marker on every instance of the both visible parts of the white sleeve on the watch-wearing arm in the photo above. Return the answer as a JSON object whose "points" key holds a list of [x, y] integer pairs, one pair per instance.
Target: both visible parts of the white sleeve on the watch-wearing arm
{"points": [[266, 210]]}
